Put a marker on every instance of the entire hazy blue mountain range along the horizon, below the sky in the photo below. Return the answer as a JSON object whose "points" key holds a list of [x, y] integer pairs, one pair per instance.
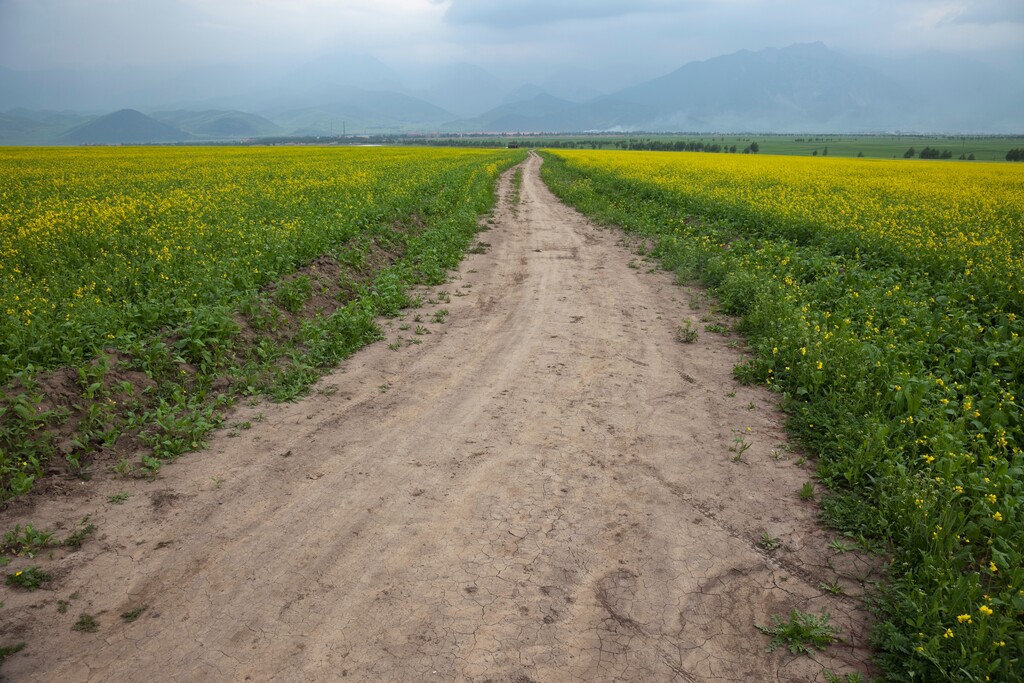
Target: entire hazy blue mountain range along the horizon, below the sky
{"points": [[800, 89]]}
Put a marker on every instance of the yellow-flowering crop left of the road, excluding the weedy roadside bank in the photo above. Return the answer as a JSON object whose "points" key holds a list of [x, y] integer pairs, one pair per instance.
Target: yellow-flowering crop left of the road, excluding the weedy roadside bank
{"points": [[100, 243]]}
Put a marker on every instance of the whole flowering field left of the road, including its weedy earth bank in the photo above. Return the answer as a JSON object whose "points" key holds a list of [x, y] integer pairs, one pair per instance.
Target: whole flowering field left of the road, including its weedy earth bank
{"points": [[144, 288]]}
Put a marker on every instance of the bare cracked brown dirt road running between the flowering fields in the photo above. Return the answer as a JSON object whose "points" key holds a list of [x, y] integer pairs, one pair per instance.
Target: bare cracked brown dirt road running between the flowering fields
{"points": [[540, 491]]}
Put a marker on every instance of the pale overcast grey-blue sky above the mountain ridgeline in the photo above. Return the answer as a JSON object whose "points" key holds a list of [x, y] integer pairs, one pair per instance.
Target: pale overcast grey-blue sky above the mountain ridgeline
{"points": [[651, 37]]}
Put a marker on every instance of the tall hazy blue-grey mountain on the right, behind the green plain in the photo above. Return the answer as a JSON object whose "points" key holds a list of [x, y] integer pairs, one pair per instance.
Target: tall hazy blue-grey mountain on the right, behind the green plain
{"points": [[801, 89]]}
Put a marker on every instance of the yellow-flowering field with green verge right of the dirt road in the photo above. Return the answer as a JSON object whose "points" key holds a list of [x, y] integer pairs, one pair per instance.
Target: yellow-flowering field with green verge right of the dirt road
{"points": [[884, 302]]}
